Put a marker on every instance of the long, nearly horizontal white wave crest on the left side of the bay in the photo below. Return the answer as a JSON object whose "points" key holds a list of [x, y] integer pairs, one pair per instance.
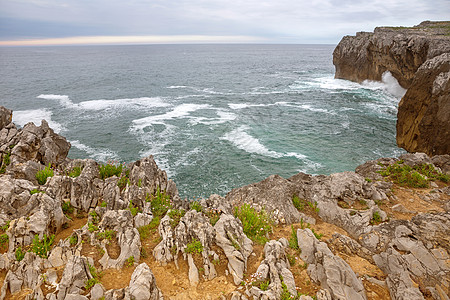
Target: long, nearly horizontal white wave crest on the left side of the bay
{"points": [[101, 104]]}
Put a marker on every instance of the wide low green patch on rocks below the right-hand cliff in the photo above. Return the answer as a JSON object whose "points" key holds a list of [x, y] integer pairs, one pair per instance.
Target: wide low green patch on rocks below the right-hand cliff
{"points": [[417, 176]]}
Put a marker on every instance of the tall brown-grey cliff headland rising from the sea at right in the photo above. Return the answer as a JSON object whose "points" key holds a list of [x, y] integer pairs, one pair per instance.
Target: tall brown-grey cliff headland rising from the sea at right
{"points": [[418, 57]]}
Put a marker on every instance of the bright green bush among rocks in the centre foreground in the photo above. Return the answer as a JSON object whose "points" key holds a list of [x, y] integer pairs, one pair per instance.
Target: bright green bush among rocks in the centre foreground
{"points": [[256, 224]]}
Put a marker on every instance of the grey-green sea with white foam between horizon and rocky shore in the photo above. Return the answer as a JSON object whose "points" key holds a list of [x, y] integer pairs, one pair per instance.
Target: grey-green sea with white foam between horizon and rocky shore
{"points": [[215, 117]]}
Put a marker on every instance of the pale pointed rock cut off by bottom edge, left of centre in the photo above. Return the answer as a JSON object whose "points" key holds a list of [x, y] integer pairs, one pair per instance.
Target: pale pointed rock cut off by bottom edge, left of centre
{"points": [[143, 285]]}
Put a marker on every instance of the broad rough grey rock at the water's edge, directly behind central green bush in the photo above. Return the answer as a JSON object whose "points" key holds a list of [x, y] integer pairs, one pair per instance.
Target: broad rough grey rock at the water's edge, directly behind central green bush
{"points": [[274, 194]]}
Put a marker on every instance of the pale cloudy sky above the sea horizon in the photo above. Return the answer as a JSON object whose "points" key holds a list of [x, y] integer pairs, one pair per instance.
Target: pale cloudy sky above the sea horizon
{"points": [[60, 22]]}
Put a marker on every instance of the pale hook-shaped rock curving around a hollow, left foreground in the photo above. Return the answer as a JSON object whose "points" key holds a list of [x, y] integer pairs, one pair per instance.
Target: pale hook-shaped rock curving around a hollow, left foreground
{"points": [[128, 238]]}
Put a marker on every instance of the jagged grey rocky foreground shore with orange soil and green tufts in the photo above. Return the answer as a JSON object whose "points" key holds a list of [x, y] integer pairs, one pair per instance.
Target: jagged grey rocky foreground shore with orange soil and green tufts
{"points": [[103, 231]]}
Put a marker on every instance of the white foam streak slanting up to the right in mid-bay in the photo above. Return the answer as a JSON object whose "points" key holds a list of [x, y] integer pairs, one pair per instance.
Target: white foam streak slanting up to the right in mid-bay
{"points": [[180, 111]]}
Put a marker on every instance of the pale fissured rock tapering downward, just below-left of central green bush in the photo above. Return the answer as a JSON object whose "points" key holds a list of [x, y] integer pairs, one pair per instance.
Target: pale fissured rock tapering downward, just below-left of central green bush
{"points": [[235, 244]]}
